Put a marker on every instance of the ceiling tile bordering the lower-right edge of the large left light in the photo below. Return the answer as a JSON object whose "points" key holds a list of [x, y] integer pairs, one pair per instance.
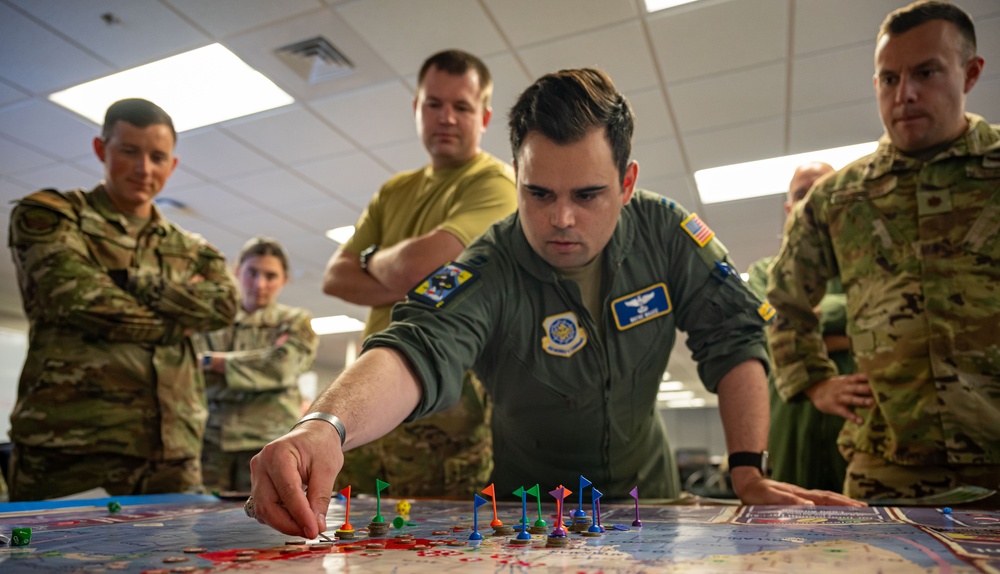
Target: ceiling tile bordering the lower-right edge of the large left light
{"points": [[289, 134]]}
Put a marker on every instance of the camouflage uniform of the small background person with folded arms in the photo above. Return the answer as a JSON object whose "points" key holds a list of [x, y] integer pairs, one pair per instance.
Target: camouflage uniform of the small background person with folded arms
{"points": [[257, 399]]}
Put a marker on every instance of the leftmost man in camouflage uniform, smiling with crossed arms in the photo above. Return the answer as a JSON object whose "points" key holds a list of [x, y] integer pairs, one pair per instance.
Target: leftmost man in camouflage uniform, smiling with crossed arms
{"points": [[110, 395]]}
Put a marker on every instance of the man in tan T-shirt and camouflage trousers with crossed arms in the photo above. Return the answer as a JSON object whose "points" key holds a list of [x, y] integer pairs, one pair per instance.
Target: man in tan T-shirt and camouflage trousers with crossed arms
{"points": [[418, 221]]}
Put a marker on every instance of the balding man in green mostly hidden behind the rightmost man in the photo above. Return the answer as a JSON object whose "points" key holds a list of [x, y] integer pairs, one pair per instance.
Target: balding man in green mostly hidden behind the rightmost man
{"points": [[802, 442]]}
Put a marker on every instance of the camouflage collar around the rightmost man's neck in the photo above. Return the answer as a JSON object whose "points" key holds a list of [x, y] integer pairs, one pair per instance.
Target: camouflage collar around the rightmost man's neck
{"points": [[978, 139]]}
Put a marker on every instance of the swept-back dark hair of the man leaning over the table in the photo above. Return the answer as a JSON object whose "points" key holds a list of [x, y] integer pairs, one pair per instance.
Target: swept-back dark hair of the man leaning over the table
{"points": [[565, 105]]}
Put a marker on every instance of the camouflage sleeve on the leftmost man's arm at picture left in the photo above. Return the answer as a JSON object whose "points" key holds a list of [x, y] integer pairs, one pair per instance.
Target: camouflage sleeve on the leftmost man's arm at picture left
{"points": [[61, 283]]}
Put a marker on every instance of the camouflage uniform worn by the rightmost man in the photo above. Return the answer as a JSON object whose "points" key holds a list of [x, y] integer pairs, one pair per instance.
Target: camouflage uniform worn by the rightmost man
{"points": [[917, 247]]}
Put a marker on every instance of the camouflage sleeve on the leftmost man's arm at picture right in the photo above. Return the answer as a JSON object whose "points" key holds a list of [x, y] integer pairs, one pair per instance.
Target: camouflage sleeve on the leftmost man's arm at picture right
{"points": [[205, 305]]}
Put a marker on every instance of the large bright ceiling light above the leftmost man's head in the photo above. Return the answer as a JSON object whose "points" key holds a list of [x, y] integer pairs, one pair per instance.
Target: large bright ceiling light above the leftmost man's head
{"points": [[197, 88]]}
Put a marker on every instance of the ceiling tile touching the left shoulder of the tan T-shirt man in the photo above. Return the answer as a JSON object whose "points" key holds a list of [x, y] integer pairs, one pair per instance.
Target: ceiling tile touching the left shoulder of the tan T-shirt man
{"points": [[354, 177]]}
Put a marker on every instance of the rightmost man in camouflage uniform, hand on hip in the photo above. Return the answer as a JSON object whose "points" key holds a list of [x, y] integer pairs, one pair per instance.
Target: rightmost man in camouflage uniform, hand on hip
{"points": [[912, 232]]}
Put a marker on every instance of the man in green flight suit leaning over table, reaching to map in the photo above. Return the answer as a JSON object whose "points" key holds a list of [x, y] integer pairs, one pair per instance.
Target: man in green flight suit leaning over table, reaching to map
{"points": [[567, 310]]}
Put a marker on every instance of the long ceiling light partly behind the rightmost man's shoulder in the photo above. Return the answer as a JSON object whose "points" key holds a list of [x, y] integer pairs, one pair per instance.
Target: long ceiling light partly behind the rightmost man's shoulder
{"points": [[768, 176]]}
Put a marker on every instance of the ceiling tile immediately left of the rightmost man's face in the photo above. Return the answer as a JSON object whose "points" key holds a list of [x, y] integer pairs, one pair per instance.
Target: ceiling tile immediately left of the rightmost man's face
{"points": [[831, 78]]}
